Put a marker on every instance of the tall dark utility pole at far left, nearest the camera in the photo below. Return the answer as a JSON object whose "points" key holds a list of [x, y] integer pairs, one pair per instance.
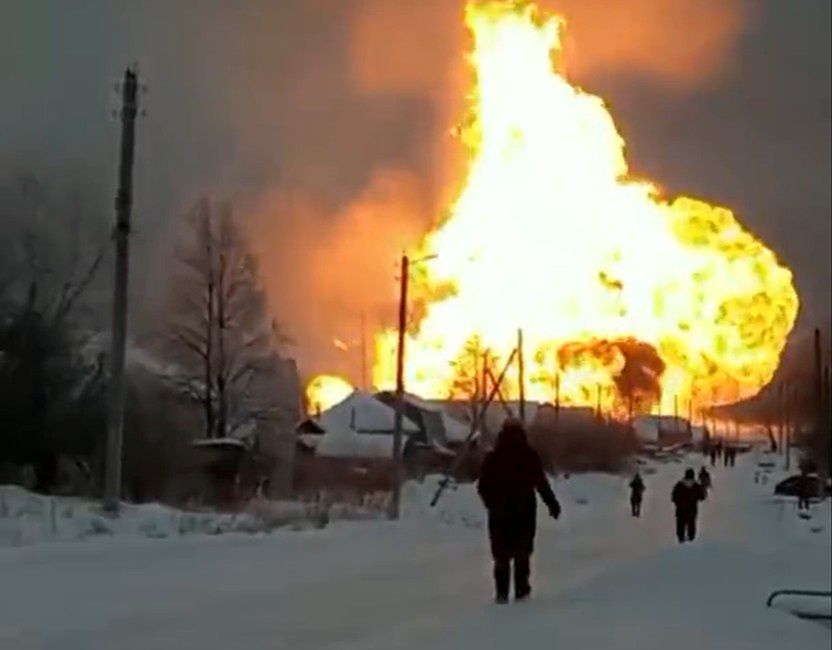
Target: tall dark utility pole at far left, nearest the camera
{"points": [[118, 340]]}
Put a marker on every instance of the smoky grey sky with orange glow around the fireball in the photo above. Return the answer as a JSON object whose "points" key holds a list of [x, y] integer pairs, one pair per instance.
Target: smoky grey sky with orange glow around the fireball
{"points": [[327, 122]]}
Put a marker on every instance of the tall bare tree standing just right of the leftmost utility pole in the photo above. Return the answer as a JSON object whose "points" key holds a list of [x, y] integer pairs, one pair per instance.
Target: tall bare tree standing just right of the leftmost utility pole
{"points": [[222, 335]]}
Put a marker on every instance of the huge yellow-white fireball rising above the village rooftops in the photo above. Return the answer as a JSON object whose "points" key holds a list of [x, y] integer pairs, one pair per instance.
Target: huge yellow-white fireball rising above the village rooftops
{"points": [[622, 295]]}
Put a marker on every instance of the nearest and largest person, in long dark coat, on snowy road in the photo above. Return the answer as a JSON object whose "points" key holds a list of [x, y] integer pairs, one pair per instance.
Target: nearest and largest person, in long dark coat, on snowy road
{"points": [[509, 478]]}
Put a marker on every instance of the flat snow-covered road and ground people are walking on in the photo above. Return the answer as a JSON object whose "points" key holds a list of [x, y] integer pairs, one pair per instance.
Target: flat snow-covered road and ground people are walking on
{"points": [[602, 580]]}
